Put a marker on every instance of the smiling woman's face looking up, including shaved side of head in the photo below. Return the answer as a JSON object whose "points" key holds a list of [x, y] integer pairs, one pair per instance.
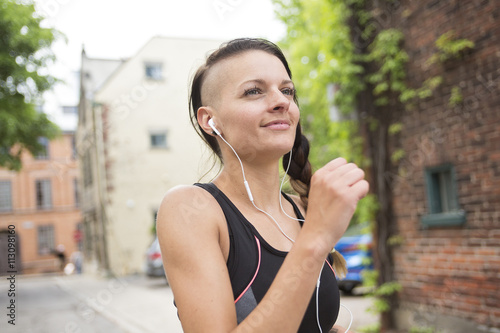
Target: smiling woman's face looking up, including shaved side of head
{"points": [[252, 98]]}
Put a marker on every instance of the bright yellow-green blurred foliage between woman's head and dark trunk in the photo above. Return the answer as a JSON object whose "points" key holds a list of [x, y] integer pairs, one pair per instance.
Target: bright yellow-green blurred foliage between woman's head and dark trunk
{"points": [[320, 54]]}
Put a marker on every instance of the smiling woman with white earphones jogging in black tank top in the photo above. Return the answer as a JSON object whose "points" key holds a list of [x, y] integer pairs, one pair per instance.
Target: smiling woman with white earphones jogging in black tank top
{"points": [[237, 257]]}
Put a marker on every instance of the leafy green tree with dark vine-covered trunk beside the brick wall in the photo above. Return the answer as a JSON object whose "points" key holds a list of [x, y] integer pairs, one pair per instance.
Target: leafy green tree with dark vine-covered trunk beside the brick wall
{"points": [[335, 41]]}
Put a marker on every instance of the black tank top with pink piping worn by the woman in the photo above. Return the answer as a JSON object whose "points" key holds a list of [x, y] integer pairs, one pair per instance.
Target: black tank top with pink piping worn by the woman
{"points": [[253, 265]]}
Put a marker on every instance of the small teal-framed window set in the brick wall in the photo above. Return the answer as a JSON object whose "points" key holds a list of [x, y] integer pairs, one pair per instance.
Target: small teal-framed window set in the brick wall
{"points": [[442, 197]]}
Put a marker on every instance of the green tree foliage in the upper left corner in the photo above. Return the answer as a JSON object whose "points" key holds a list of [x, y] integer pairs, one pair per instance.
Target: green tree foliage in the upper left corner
{"points": [[24, 56]]}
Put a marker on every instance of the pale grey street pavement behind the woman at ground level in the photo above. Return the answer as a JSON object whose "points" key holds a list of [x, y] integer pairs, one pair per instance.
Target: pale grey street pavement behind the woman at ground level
{"points": [[90, 304]]}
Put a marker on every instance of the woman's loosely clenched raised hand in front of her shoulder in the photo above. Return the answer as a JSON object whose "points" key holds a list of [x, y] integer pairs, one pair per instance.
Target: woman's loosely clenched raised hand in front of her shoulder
{"points": [[334, 194]]}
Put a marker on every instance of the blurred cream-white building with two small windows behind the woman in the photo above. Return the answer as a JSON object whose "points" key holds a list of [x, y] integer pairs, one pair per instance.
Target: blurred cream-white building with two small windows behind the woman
{"points": [[136, 141]]}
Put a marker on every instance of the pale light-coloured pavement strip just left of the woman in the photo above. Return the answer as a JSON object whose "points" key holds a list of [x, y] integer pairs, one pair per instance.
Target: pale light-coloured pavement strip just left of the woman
{"points": [[137, 304]]}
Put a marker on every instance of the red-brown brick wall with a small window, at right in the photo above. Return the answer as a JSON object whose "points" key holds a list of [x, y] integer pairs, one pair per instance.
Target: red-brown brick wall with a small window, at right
{"points": [[452, 271]]}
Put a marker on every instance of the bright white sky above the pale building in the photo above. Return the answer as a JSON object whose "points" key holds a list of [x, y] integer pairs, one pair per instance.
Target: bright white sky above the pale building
{"points": [[117, 29]]}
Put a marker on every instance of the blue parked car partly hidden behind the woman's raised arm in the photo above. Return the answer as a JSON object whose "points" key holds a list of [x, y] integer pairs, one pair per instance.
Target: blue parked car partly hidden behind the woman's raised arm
{"points": [[356, 249]]}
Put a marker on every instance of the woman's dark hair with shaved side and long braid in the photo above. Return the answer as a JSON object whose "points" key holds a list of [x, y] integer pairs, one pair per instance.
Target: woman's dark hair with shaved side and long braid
{"points": [[300, 171]]}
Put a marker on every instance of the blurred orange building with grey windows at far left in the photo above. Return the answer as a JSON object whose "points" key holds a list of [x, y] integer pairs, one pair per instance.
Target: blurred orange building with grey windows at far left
{"points": [[41, 204]]}
